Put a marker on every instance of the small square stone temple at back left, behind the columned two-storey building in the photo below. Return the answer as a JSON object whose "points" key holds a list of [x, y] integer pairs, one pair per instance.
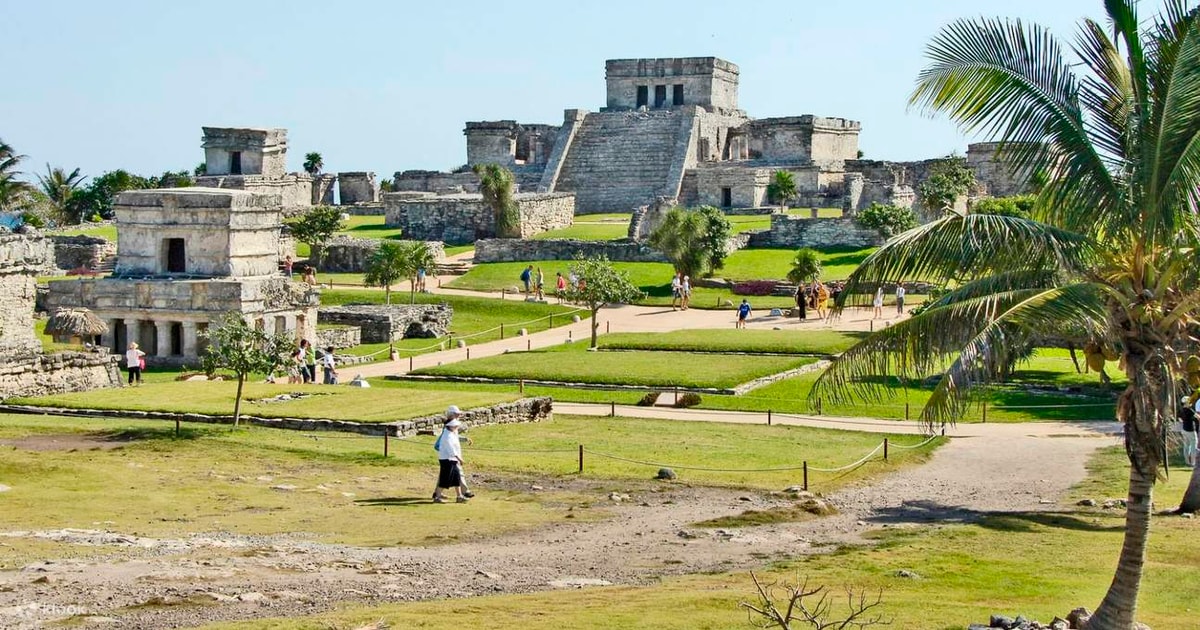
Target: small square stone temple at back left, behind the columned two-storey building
{"points": [[255, 160]]}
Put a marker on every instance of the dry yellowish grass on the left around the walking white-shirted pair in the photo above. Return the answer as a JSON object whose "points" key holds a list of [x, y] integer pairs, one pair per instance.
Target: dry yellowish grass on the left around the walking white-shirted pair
{"points": [[249, 482]]}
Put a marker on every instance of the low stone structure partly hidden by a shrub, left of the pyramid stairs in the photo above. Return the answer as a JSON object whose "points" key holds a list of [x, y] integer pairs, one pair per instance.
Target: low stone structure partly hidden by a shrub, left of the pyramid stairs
{"points": [[464, 219]]}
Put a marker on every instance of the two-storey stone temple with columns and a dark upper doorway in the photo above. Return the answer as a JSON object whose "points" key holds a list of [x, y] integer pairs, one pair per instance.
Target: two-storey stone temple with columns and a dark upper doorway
{"points": [[187, 257]]}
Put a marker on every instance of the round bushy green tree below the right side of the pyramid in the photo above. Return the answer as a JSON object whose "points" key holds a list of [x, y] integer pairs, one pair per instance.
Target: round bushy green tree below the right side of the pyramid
{"points": [[695, 242]]}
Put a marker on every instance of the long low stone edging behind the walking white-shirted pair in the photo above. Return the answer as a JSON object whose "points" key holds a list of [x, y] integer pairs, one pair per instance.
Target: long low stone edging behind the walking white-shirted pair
{"points": [[523, 411]]}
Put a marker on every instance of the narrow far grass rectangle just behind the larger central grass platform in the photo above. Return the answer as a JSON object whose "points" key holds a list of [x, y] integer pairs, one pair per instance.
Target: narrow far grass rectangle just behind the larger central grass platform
{"points": [[733, 341]]}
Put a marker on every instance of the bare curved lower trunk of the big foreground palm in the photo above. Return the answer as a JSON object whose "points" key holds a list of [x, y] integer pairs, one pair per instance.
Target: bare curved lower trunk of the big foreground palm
{"points": [[1117, 611]]}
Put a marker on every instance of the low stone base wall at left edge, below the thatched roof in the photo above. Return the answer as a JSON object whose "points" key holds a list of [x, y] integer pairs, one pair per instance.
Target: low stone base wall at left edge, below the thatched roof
{"points": [[59, 374]]}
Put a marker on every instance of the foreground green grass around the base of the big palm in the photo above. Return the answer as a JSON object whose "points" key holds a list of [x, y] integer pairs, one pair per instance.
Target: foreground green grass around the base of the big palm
{"points": [[968, 573]]}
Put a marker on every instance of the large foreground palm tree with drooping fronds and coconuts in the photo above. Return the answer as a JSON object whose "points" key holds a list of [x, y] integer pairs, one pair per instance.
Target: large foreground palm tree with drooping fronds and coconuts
{"points": [[1111, 249]]}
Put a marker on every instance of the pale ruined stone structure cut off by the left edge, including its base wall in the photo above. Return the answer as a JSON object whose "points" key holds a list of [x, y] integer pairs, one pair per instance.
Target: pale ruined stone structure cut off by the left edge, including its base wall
{"points": [[26, 370]]}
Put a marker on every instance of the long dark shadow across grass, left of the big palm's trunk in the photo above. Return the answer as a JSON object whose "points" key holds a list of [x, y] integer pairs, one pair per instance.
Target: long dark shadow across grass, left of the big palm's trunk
{"points": [[927, 512]]}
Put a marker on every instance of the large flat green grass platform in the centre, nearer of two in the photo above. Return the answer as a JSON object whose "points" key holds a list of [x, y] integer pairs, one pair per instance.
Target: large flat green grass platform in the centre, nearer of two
{"points": [[573, 364]]}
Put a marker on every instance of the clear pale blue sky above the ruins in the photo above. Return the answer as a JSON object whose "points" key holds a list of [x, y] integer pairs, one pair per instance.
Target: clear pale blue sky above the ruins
{"points": [[386, 87]]}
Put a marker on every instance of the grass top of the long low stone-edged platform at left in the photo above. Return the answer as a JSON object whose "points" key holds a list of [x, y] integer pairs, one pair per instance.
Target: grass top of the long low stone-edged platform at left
{"points": [[335, 403]]}
